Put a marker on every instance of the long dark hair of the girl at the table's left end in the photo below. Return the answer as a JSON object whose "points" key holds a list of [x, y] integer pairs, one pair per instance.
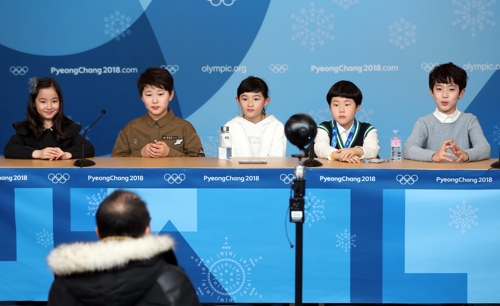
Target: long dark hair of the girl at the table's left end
{"points": [[34, 121]]}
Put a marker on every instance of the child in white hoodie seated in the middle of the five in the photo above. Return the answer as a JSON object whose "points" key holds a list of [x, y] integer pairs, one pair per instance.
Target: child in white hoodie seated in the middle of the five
{"points": [[254, 132]]}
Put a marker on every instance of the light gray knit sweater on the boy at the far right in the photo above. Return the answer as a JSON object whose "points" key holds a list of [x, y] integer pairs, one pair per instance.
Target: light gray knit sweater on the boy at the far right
{"points": [[429, 134]]}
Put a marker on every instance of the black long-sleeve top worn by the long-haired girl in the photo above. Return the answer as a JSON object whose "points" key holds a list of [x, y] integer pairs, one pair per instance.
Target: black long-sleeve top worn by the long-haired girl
{"points": [[23, 143]]}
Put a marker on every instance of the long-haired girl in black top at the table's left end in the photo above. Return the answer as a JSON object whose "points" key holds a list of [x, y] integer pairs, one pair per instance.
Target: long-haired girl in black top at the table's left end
{"points": [[46, 133]]}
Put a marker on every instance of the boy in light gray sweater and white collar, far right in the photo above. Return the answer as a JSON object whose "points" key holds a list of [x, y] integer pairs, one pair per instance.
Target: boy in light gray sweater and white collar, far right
{"points": [[447, 134]]}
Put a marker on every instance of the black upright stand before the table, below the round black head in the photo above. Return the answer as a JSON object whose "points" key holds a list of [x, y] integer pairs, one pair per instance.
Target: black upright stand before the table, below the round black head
{"points": [[297, 206]]}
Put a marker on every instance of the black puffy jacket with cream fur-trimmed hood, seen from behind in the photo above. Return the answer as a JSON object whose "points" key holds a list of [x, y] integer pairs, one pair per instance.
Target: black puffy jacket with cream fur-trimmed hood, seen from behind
{"points": [[139, 271]]}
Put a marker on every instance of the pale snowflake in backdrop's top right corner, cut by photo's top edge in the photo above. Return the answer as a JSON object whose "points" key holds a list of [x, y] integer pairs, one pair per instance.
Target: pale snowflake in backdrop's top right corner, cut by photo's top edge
{"points": [[473, 15]]}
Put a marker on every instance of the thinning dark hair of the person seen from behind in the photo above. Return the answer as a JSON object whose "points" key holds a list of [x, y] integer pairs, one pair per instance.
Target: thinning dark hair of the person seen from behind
{"points": [[122, 213]]}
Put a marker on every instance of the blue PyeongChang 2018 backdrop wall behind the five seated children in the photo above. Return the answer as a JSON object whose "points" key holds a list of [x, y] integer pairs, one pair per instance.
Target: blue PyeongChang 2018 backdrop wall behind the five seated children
{"points": [[97, 50]]}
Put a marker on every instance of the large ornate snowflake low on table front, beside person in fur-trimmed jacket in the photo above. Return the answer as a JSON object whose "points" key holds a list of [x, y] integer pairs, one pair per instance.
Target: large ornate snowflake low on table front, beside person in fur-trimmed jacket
{"points": [[228, 275]]}
